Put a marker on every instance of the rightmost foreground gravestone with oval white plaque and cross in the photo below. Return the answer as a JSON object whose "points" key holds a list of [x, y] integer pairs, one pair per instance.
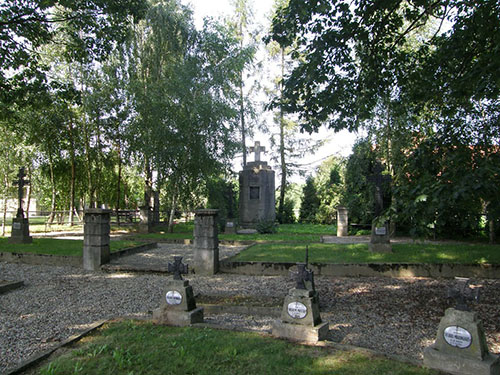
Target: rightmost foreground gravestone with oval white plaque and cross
{"points": [[460, 347]]}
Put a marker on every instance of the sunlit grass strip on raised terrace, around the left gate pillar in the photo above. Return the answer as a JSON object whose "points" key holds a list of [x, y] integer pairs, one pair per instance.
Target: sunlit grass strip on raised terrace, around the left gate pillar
{"points": [[58, 247]]}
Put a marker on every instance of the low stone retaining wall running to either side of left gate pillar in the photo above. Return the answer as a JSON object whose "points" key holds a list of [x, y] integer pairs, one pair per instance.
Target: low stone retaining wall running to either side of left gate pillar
{"points": [[64, 260]]}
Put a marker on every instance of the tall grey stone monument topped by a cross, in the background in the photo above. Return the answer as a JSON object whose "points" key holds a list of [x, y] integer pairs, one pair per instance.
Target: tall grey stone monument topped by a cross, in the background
{"points": [[257, 193]]}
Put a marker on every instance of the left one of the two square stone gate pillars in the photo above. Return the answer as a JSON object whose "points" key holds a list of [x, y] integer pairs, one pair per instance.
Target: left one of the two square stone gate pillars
{"points": [[96, 238]]}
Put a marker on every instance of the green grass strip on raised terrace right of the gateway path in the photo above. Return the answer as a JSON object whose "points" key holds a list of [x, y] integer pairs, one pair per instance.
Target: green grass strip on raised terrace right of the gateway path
{"points": [[359, 253]]}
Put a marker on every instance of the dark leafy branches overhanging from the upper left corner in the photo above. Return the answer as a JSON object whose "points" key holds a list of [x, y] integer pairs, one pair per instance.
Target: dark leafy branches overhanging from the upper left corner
{"points": [[91, 27]]}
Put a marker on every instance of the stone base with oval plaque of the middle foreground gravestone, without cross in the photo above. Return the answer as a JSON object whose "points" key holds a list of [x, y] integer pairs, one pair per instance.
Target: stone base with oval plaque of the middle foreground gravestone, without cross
{"points": [[300, 319]]}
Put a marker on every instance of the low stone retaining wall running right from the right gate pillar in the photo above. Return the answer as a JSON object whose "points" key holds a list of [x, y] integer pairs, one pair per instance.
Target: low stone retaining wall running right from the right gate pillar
{"points": [[485, 271]]}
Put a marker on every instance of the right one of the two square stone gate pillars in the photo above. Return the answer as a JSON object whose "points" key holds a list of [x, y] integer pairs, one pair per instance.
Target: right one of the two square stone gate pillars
{"points": [[206, 242]]}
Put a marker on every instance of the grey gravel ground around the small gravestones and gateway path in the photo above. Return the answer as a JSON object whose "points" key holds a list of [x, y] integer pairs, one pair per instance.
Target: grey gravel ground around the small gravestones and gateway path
{"points": [[395, 316]]}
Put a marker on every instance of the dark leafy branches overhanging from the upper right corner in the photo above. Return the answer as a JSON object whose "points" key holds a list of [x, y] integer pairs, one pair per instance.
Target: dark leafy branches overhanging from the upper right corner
{"points": [[355, 57]]}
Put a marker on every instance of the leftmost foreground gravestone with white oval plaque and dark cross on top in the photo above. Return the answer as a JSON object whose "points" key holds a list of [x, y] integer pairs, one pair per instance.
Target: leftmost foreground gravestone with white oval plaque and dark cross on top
{"points": [[178, 304]]}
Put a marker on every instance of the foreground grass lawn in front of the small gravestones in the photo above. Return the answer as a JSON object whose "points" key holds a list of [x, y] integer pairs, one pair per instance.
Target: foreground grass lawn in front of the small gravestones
{"points": [[142, 348]]}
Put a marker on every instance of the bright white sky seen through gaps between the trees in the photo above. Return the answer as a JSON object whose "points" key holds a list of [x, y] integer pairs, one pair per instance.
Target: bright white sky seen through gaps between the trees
{"points": [[340, 143]]}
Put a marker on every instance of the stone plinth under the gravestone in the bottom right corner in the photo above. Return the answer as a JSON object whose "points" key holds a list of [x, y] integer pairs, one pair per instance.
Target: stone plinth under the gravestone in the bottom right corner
{"points": [[457, 365]]}
